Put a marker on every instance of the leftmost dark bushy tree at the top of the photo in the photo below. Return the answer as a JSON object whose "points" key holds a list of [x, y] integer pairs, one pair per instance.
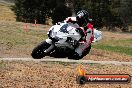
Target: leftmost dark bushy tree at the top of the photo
{"points": [[30, 10]]}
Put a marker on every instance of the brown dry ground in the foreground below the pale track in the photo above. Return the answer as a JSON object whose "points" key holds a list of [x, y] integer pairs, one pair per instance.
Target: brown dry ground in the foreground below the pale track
{"points": [[20, 74]]}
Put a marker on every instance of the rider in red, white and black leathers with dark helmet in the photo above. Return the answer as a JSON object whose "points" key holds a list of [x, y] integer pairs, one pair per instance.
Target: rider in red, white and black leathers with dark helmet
{"points": [[85, 29]]}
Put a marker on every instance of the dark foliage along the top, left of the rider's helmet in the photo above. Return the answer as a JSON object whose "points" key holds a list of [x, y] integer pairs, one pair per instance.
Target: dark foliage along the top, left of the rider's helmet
{"points": [[30, 10]]}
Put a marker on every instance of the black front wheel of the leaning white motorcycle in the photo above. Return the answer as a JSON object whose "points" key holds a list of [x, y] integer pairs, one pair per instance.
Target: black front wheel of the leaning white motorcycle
{"points": [[39, 51]]}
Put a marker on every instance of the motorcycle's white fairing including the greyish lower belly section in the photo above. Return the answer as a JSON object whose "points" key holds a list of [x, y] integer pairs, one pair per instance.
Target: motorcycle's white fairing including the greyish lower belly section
{"points": [[62, 32]]}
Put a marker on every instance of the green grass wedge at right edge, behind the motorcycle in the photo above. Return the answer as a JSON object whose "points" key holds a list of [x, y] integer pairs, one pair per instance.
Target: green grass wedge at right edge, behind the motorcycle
{"points": [[123, 46]]}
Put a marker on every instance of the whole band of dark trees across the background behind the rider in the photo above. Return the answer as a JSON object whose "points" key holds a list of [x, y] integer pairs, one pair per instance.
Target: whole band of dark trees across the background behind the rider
{"points": [[109, 13]]}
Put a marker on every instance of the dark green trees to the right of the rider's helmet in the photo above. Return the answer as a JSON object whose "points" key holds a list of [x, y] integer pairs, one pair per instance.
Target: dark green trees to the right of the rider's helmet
{"points": [[109, 13]]}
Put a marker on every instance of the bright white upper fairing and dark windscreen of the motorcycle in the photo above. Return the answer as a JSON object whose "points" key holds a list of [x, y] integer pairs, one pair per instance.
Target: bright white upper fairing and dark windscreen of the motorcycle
{"points": [[64, 30]]}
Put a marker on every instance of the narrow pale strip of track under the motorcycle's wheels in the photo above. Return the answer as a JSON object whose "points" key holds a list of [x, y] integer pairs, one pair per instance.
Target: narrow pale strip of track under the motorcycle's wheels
{"points": [[64, 60]]}
